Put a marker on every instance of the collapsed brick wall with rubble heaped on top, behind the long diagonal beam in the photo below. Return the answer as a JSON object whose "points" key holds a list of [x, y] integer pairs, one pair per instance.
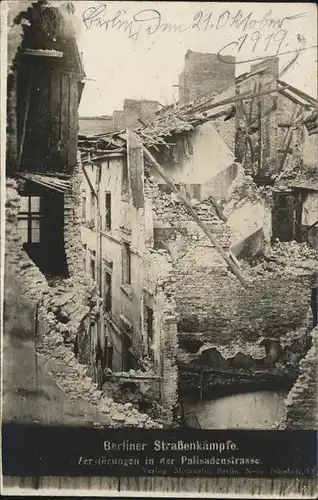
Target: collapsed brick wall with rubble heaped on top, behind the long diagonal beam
{"points": [[222, 325]]}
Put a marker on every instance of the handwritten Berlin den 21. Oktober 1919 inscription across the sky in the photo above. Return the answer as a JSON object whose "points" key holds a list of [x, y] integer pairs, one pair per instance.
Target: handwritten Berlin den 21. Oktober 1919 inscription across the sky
{"points": [[252, 32]]}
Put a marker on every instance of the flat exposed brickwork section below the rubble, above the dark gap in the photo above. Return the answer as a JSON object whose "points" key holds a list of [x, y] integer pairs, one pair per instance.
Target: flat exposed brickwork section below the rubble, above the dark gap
{"points": [[219, 307]]}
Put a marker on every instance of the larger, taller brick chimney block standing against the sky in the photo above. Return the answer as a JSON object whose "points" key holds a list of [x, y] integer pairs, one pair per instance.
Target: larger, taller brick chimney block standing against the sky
{"points": [[204, 74]]}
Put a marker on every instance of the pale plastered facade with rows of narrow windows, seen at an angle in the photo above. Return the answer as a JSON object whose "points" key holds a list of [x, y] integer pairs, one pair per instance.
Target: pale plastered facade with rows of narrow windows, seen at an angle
{"points": [[133, 281]]}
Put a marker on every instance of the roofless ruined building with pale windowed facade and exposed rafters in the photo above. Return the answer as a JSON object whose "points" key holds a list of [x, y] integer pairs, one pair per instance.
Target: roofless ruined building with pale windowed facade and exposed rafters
{"points": [[167, 212]]}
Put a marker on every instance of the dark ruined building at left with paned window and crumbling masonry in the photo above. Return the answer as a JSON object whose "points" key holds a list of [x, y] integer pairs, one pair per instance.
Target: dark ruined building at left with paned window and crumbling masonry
{"points": [[44, 259]]}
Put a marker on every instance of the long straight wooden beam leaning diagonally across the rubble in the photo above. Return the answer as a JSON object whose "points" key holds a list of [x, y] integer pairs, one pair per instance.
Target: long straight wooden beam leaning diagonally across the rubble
{"points": [[230, 262]]}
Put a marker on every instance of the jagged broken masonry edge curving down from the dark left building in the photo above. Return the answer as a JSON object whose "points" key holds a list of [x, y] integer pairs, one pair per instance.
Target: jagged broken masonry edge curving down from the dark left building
{"points": [[62, 310]]}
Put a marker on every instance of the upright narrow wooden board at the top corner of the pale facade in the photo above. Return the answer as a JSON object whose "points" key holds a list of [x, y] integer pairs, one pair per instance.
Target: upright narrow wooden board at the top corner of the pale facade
{"points": [[135, 168]]}
